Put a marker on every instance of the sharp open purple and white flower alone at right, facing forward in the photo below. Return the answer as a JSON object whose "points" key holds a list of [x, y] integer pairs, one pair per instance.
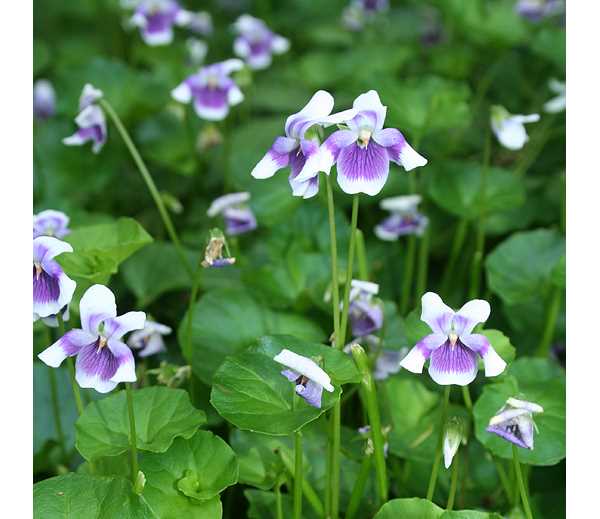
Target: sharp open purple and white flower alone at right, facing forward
{"points": [[452, 347]]}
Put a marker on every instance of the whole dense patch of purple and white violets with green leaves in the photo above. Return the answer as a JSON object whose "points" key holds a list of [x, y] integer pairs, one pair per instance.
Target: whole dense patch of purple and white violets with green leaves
{"points": [[299, 259]]}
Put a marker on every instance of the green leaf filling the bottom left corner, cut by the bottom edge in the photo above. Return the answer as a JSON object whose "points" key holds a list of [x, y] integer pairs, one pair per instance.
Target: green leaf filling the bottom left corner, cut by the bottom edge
{"points": [[75, 496]]}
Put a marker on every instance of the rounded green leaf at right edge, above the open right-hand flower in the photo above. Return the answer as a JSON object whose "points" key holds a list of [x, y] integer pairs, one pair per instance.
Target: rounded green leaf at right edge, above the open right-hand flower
{"points": [[519, 269]]}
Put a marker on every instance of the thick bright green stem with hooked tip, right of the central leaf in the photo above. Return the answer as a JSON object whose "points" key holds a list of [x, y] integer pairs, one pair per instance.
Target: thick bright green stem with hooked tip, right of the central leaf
{"points": [[370, 393]]}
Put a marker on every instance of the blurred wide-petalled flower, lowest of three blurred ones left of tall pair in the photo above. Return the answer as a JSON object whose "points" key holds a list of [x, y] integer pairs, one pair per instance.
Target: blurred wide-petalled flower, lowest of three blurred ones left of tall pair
{"points": [[212, 90]]}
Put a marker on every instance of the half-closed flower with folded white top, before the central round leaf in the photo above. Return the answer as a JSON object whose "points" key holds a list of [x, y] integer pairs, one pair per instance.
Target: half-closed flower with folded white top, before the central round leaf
{"points": [[309, 378]]}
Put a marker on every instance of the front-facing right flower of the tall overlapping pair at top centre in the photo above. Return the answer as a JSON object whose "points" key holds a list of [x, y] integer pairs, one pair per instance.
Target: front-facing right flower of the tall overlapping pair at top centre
{"points": [[364, 150]]}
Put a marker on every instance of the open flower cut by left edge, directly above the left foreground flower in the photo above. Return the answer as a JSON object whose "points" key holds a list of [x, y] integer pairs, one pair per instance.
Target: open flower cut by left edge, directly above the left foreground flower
{"points": [[52, 288]]}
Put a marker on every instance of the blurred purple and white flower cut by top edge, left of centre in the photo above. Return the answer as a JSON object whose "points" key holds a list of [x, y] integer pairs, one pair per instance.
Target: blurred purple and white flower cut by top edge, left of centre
{"points": [[156, 18]]}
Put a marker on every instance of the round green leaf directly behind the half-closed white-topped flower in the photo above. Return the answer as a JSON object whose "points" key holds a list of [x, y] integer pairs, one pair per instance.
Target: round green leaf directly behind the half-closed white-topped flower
{"points": [[250, 392]]}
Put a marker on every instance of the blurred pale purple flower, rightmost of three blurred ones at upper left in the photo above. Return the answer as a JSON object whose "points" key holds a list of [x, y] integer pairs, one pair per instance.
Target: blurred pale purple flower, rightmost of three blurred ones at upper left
{"points": [[256, 43]]}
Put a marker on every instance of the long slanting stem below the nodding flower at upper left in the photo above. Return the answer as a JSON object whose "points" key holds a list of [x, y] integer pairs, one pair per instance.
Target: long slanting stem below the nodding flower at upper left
{"points": [[149, 184]]}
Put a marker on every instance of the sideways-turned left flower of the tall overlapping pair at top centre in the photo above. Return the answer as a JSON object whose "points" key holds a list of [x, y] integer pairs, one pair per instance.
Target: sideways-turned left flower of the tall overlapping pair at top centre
{"points": [[299, 149]]}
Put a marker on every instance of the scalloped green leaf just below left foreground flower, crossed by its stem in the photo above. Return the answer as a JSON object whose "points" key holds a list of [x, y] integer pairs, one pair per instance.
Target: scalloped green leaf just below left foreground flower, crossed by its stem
{"points": [[161, 415]]}
